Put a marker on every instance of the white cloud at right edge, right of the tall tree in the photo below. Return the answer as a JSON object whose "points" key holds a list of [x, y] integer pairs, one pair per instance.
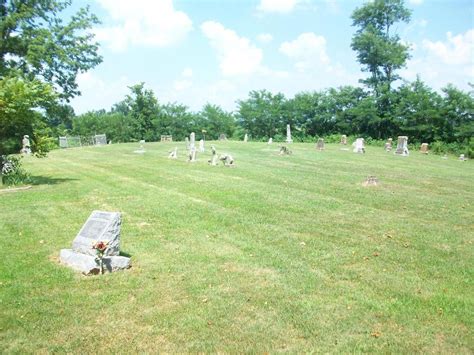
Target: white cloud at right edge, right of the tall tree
{"points": [[456, 50]]}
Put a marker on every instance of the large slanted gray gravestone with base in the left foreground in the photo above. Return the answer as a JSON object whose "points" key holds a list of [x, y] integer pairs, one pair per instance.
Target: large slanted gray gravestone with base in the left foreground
{"points": [[101, 226]]}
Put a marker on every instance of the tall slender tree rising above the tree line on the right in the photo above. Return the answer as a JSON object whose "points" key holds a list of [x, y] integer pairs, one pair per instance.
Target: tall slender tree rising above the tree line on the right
{"points": [[379, 50]]}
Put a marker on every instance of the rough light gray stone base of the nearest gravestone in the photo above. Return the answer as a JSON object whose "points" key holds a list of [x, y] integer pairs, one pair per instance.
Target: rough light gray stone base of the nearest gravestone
{"points": [[88, 265]]}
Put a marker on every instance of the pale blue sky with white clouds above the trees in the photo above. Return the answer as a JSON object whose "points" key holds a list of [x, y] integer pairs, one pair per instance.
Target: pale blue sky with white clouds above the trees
{"points": [[195, 52]]}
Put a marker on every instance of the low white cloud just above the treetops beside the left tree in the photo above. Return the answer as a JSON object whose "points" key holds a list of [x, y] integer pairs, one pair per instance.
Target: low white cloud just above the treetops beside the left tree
{"points": [[98, 94]]}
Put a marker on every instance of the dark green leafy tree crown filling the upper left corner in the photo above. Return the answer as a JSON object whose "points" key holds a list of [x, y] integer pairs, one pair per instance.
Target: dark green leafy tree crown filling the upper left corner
{"points": [[35, 41]]}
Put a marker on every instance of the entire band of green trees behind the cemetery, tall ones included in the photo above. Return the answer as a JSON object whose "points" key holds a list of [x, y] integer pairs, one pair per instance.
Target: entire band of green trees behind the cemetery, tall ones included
{"points": [[41, 55]]}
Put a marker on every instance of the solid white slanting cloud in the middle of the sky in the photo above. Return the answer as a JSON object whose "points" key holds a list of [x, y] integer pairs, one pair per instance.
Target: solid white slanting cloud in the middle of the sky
{"points": [[236, 55]]}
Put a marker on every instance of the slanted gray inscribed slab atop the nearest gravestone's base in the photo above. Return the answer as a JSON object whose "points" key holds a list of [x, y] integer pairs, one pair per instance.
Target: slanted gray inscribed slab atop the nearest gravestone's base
{"points": [[101, 226]]}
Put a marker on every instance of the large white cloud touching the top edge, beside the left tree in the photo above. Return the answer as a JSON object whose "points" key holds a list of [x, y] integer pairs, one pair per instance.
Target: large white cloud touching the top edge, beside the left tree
{"points": [[142, 22]]}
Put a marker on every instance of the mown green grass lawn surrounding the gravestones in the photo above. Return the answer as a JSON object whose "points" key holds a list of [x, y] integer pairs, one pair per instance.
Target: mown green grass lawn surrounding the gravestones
{"points": [[281, 253]]}
